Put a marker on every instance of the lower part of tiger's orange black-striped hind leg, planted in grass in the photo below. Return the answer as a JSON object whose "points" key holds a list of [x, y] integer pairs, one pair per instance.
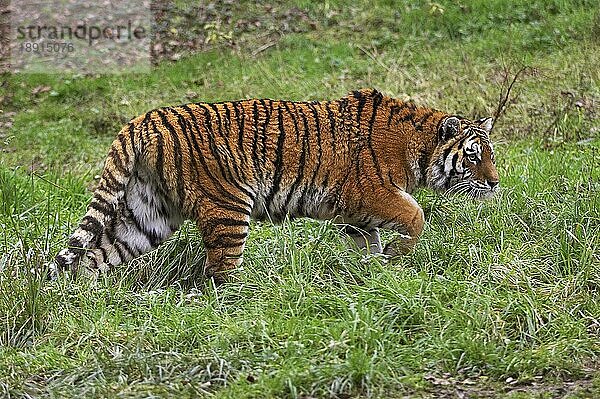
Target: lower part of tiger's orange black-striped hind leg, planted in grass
{"points": [[224, 231]]}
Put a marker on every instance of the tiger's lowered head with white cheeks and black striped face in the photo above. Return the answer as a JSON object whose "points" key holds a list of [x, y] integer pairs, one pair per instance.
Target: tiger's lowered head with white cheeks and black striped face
{"points": [[463, 161]]}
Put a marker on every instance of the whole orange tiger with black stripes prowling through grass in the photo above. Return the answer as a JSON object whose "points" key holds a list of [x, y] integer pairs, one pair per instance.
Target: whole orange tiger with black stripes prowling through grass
{"points": [[355, 161]]}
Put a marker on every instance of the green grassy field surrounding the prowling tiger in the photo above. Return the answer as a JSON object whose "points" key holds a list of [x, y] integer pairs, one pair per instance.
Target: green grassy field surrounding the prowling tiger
{"points": [[499, 299]]}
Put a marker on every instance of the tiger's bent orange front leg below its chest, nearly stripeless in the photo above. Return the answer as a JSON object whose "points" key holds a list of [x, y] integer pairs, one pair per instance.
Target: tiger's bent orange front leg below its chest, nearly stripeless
{"points": [[395, 210]]}
